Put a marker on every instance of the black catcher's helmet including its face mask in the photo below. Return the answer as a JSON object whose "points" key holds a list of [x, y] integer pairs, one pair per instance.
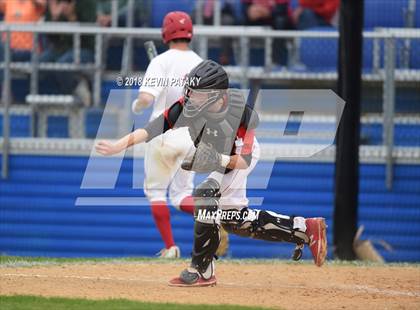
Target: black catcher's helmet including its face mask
{"points": [[205, 84]]}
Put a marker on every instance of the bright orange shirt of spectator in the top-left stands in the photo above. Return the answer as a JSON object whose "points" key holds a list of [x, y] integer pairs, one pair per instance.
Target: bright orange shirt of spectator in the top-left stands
{"points": [[22, 11]]}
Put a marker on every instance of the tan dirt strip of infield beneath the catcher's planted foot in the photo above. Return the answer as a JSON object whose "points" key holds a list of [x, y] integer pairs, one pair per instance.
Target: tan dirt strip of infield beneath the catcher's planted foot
{"points": [[276, 285]]}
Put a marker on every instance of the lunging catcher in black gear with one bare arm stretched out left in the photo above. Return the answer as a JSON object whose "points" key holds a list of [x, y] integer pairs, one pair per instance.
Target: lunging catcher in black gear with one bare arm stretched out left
{"points": [[222, 128]]}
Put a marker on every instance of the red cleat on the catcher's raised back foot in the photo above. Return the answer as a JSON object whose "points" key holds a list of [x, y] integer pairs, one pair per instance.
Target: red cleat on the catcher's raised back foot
{"points": [[316, 230]]}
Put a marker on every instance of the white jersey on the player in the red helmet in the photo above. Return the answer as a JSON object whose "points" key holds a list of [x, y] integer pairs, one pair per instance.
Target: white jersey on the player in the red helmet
{"points": [[164, 76]]}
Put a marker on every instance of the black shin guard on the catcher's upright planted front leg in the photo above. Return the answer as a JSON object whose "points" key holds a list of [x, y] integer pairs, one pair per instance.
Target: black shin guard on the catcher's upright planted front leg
{"points": [[206, 227]]}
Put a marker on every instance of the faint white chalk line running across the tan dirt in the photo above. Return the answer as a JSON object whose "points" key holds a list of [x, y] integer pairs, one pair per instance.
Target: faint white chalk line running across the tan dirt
{"points": [[346, 287]]}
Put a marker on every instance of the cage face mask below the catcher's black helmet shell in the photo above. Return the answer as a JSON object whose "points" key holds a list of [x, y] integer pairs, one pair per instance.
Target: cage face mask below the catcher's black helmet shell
{"points": [[198, 100]]}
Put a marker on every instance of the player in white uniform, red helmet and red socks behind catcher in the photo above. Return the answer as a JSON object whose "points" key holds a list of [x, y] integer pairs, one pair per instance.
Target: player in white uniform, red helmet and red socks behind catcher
{"points": [[162, 86]]}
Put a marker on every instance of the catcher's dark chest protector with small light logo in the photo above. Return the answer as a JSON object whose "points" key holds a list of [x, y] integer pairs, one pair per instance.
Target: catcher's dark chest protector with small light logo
{"points": [[219, 131]]}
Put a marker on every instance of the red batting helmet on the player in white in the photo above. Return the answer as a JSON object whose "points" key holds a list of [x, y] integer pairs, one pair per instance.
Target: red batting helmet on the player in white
{"points": [[176, 25]]}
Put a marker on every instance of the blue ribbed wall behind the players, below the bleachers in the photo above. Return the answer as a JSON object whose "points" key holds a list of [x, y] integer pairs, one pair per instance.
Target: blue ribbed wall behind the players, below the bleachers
{"points": [[38, 215]]}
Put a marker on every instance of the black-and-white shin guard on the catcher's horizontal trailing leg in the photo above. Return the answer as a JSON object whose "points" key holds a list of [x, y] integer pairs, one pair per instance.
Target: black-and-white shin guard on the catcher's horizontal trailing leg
{"points": [[269, 226]]}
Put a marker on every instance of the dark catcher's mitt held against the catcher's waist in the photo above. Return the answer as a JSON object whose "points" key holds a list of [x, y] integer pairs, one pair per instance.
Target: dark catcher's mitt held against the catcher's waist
{"points": [[205, 159]]}
